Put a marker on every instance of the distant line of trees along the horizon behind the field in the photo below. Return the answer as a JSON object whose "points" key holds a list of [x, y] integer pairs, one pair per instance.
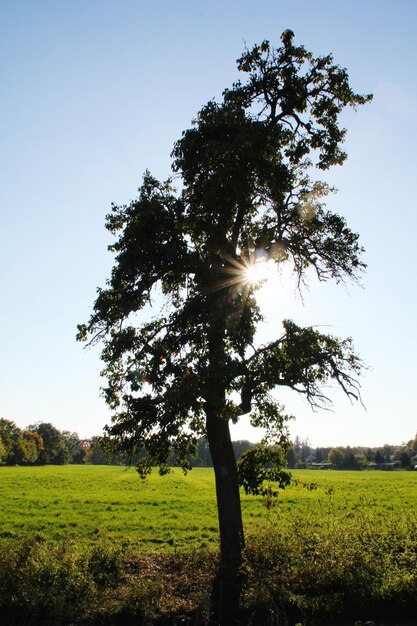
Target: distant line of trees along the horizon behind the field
{"points": [[42, 444]]}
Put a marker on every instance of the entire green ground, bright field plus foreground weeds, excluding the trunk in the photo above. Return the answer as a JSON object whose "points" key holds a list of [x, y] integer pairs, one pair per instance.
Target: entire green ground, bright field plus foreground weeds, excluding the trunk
{"points": [[97, 545]]}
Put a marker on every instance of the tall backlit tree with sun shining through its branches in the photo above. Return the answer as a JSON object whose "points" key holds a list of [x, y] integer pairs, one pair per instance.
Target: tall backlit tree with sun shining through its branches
{"points": [[247, 199]]}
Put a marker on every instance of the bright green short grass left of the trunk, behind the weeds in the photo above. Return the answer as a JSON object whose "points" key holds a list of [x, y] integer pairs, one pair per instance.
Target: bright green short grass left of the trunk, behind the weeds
{"points": [[89, 502]]}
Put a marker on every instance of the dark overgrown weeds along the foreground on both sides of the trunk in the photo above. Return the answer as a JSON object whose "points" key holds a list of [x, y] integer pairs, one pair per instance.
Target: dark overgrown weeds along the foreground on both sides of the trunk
{"points": [[311, 569]]}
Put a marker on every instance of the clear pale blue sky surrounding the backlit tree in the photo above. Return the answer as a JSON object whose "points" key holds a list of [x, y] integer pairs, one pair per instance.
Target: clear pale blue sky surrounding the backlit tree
{"points": [[94, 92]]}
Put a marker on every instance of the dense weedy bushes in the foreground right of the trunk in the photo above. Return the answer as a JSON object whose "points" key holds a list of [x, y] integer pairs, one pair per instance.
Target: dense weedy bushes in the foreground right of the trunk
{"points": [[342, 565]]}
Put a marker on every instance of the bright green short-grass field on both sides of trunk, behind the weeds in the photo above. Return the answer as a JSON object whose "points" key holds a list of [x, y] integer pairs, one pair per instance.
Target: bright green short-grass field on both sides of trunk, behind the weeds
{"points": [[175, 511]]}
